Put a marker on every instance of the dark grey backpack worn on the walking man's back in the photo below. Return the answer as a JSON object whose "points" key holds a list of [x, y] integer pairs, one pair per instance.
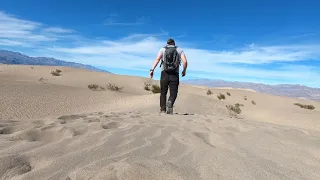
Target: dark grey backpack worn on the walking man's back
{"points": [[171, 59]]}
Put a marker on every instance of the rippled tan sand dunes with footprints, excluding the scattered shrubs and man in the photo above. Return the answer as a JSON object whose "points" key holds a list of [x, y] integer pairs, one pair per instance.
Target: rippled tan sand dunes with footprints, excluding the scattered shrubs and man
{"points": [[62, 130]]}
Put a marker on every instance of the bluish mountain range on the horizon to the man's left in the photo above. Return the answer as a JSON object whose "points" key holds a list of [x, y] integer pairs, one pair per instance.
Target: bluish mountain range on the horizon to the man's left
{"points": [[10, 57]]}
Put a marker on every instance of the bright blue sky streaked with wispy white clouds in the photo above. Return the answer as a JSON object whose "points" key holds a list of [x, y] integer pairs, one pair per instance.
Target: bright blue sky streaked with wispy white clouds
{"points": [[273, 42]]}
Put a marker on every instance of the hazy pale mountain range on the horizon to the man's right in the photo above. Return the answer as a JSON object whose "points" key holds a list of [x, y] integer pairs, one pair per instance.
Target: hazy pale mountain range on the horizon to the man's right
{"points": [[297, 91]]}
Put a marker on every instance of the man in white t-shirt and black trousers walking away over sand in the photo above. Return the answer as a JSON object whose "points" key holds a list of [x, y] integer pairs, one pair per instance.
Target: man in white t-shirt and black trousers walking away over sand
{"points": [[170, 57]]}
